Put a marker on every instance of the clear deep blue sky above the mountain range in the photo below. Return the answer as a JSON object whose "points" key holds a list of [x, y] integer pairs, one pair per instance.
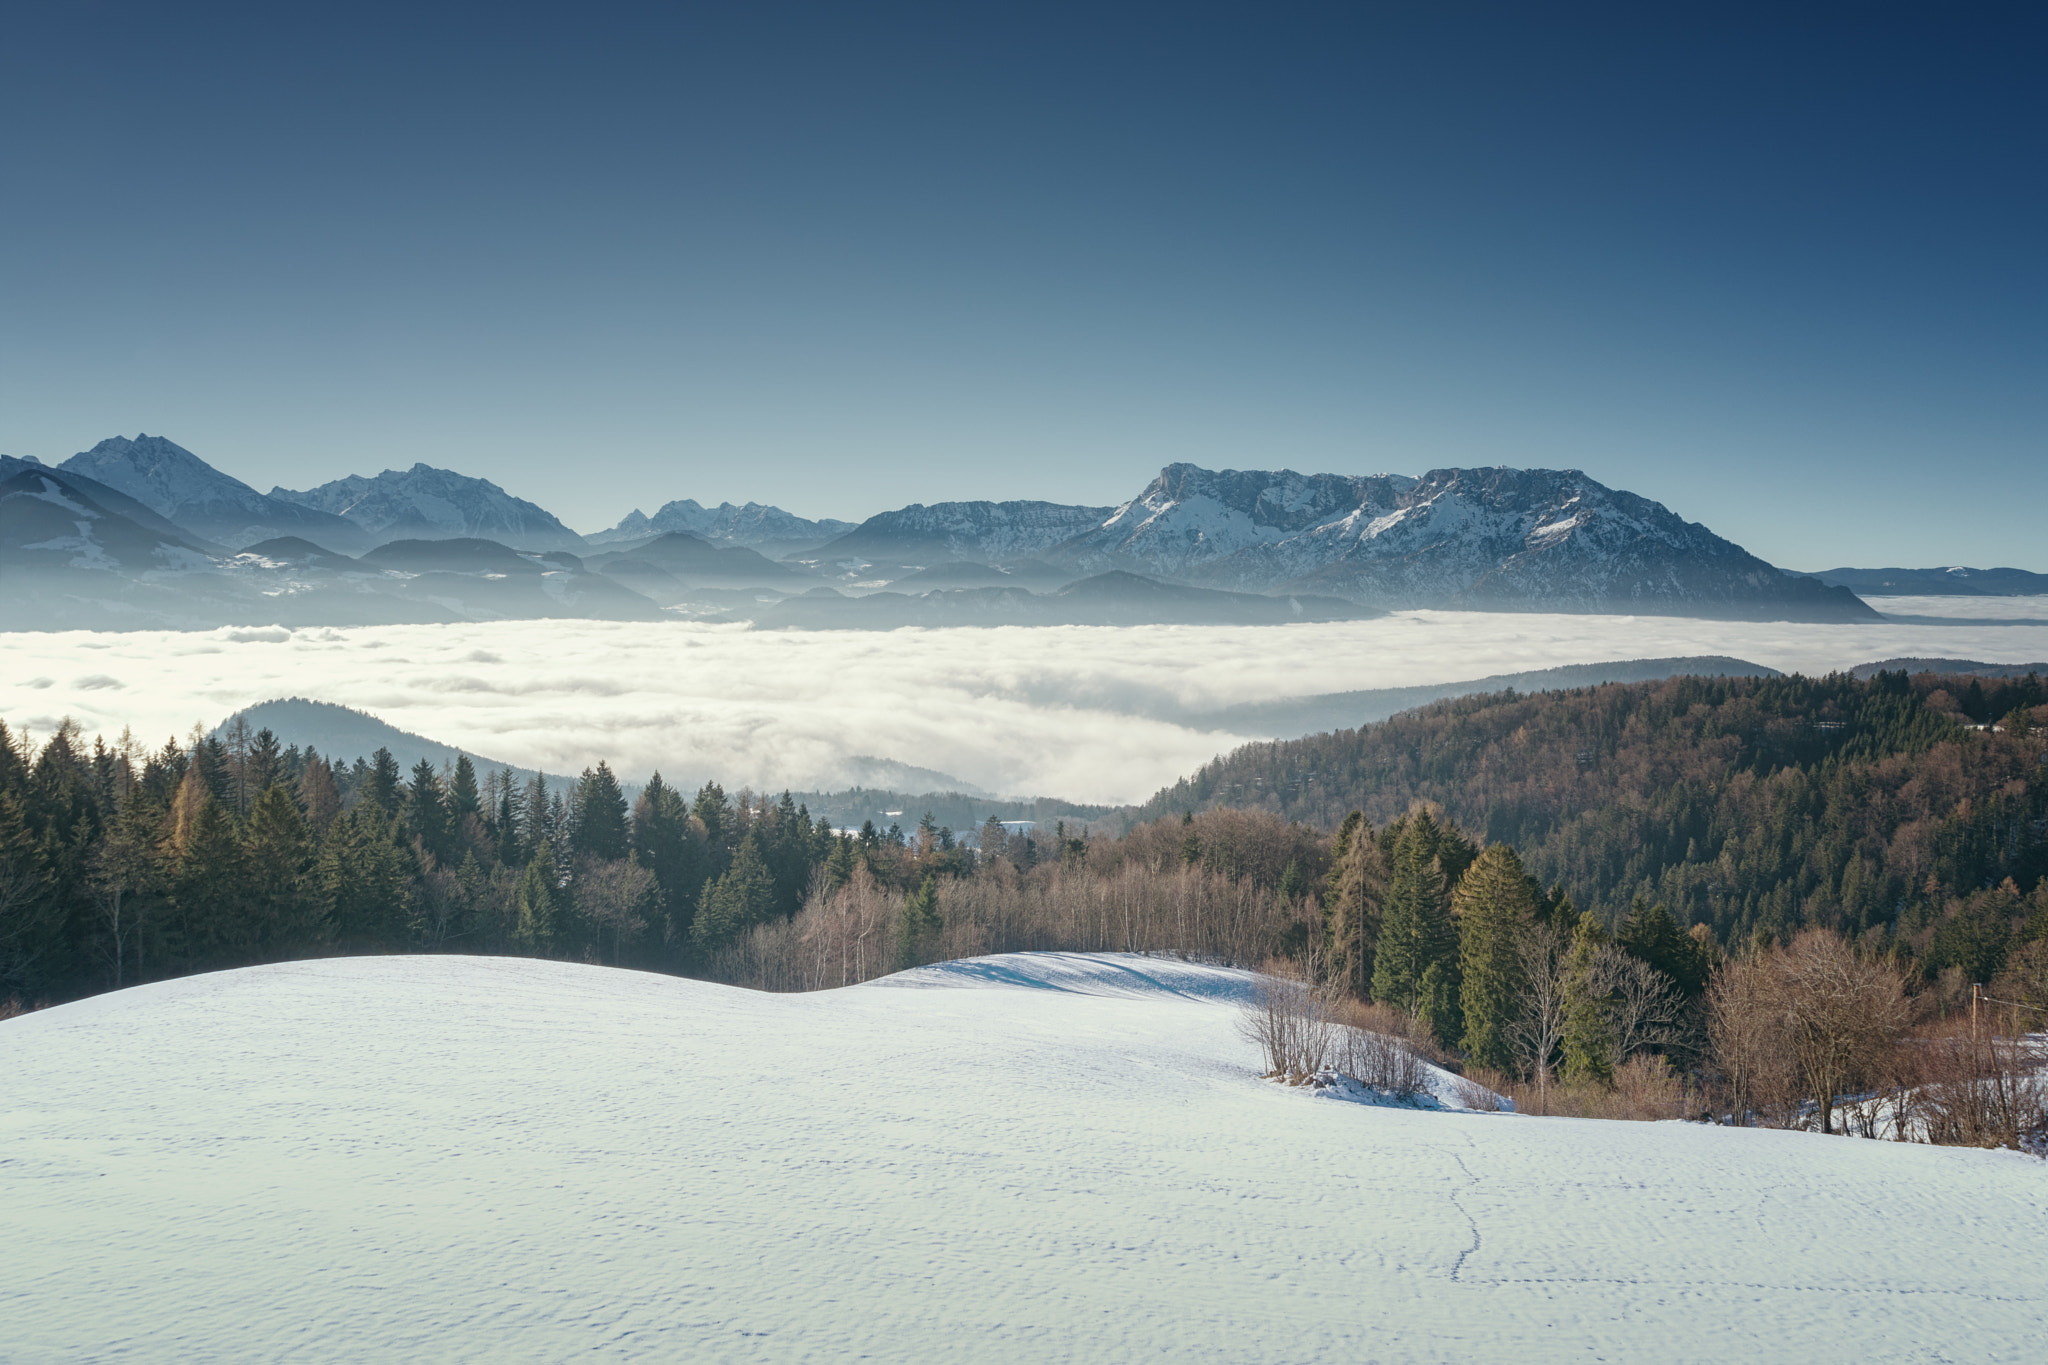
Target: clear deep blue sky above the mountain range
{"points": [[1781, 271]]}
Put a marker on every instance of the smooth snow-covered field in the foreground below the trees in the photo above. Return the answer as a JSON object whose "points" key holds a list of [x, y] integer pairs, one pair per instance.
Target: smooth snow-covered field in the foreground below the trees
{"points": [[1027, 1159]]}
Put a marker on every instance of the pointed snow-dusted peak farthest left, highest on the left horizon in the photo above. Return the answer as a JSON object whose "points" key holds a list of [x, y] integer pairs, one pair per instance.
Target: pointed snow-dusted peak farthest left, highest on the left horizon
{"points": [[183, 488]]}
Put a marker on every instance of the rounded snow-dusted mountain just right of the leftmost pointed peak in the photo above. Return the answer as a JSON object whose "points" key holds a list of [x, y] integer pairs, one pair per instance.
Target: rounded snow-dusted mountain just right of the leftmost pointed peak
{"points": [[437, 504]]}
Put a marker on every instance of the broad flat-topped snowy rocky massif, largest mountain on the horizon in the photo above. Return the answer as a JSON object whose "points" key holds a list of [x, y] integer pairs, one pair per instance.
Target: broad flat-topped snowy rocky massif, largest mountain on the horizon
{"points": [[1492, 539]]}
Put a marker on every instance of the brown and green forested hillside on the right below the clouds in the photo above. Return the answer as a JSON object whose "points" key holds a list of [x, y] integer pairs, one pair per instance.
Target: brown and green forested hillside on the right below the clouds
{"points": [[1742, 803]]}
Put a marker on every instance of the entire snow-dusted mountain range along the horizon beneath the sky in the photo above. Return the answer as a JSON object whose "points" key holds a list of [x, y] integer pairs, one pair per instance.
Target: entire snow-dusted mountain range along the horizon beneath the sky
{"points": [[1484, 539]]}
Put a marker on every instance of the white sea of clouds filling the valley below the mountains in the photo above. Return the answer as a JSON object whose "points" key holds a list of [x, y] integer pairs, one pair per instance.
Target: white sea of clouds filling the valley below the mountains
{"points": [[1084, 713]]}
